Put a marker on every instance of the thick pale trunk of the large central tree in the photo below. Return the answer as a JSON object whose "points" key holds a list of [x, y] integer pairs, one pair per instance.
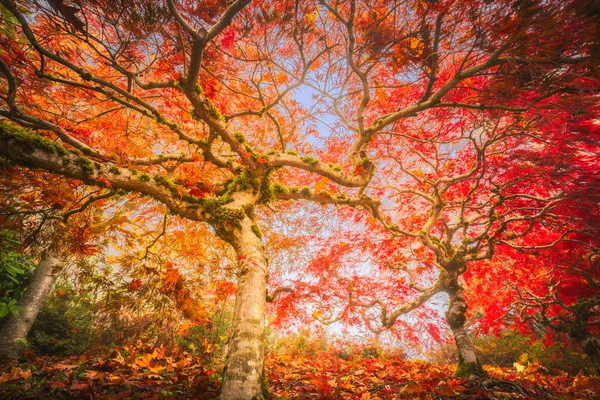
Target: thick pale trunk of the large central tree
{"points": [[243, 375]]}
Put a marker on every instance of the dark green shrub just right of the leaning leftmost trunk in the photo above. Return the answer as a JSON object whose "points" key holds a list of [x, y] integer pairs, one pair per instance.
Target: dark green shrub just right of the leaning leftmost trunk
{"points": [[65, 324]]}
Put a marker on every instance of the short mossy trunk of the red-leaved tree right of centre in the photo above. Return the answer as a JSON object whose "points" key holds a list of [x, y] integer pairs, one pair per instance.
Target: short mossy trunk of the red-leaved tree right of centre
{"points": [[468, 363]]}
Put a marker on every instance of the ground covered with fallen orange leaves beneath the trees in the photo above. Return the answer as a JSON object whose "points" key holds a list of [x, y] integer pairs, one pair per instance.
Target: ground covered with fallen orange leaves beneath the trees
{"points": [[150, 373]]}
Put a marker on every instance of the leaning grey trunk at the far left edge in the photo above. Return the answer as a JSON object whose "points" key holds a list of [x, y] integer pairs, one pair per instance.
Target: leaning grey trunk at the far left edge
{"points": [[15, 329]]}
